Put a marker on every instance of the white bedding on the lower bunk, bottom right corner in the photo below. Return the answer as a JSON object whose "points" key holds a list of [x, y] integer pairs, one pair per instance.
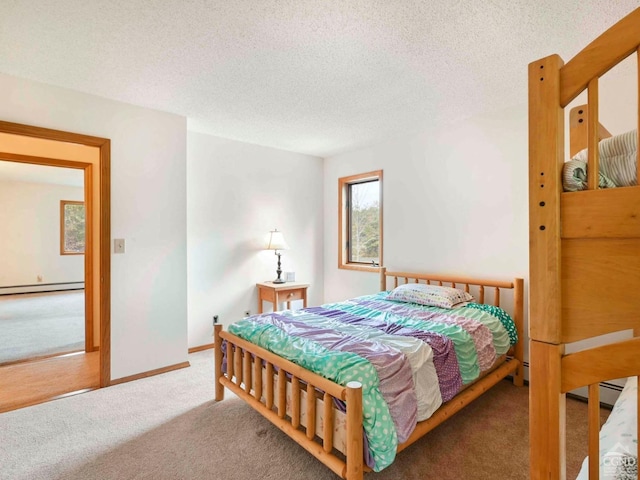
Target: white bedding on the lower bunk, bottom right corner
{"points": [[619, 438]]}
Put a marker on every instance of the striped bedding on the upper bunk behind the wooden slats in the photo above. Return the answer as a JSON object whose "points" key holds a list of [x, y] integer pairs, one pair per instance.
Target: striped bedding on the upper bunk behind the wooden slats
{"points": [[618, 164]]}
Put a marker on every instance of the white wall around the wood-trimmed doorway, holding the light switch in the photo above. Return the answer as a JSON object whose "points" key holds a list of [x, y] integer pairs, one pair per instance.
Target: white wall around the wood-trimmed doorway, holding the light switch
{"points": [[148, 210]]}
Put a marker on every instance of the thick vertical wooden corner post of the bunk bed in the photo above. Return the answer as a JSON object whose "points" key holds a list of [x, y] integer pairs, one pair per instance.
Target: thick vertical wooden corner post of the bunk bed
{"points": [[546, 155]]}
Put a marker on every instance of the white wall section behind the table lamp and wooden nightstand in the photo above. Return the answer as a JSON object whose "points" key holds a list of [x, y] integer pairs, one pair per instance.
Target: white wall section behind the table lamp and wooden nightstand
{"points": [[236, 194]]}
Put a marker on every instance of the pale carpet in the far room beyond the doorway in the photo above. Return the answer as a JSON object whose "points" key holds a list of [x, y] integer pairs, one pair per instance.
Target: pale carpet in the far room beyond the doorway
{"points": [[38, 324]]}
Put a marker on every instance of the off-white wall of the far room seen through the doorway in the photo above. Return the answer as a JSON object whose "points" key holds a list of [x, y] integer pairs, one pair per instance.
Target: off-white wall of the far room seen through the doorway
{"points": [[30, 239]]}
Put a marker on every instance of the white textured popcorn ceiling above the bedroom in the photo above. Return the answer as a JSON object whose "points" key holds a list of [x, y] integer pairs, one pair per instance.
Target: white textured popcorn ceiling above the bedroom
{"points": [[316, 77]]}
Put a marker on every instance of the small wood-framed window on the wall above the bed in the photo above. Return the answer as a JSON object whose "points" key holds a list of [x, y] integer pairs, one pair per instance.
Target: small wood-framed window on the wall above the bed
{"points": [[360, 221]]}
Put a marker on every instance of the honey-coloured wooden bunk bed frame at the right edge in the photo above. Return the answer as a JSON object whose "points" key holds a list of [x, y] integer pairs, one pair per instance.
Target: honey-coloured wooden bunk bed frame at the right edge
{"points": [[584, 252]]}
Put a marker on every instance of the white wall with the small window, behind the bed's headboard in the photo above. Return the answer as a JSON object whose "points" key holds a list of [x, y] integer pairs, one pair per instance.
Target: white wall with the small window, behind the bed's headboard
{"points": [[454, 201]]}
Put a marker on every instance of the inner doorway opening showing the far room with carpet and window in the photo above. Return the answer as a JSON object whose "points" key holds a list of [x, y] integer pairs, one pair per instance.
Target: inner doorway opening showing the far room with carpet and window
{"points": [[42, 253]]}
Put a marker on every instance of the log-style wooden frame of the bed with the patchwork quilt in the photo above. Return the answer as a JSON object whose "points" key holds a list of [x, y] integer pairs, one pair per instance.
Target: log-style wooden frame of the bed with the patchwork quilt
{"points": [[251, 376]]}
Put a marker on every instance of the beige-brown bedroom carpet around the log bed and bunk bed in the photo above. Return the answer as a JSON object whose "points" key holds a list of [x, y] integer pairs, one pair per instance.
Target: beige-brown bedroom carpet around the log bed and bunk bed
{"points": [[168, 427]]}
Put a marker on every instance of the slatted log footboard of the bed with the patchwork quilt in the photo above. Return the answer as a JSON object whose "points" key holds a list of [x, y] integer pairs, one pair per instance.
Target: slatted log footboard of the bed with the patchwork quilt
{"points": [[263, 380]]}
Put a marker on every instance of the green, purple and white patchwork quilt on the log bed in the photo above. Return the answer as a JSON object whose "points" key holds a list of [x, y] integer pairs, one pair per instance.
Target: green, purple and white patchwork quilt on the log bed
{"points": [[409, 358]]}
